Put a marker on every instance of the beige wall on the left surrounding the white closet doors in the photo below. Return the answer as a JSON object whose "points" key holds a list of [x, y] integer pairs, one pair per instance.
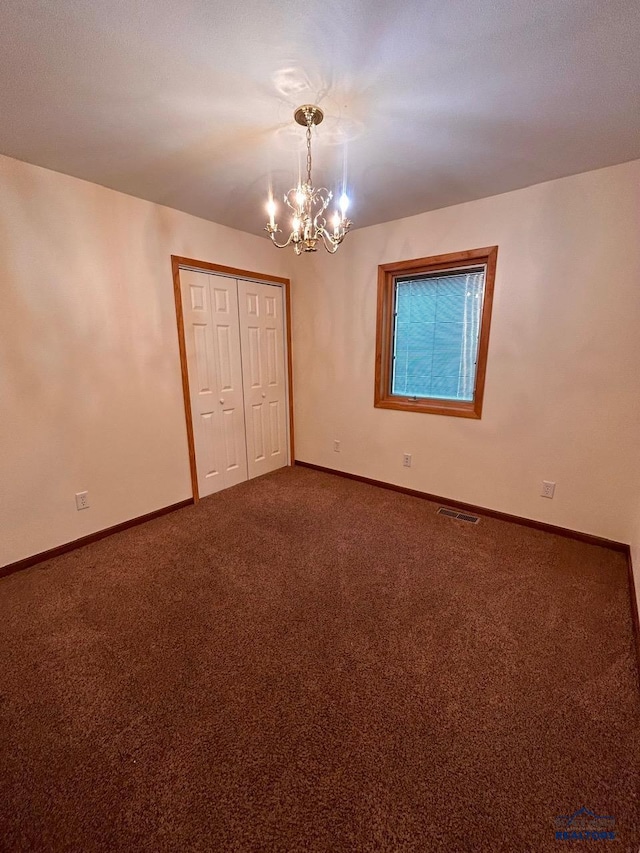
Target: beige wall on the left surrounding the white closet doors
{"points": [[90, 388]]}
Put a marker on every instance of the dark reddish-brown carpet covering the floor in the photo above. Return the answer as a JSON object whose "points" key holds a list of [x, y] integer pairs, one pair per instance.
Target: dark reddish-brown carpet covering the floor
{"points": [[305, 663]]}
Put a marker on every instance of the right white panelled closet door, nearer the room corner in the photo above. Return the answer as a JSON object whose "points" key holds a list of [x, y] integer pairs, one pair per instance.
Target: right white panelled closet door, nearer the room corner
{"points": [[263, 367]]}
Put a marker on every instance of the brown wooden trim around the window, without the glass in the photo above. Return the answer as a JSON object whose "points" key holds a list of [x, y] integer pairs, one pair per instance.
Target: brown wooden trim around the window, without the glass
{"points": [[387, 274]]}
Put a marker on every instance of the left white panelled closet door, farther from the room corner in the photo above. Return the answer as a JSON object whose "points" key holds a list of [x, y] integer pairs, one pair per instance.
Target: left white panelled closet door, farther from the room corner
{"points": [[212, 338]]}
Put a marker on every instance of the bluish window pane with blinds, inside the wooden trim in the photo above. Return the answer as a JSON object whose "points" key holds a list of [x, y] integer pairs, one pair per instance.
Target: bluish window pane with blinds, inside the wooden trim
{"points": [[436, 333]]}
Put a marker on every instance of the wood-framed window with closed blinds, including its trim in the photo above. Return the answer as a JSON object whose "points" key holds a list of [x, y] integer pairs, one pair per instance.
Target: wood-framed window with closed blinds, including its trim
{"points": [[433, 333]]}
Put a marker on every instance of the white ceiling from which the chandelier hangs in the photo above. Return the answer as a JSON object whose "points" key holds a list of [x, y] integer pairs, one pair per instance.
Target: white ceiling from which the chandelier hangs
{"points": [[428, 102]]}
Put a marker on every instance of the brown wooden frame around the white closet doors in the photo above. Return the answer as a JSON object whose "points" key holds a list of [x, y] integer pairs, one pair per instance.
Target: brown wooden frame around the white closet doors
{"points": [[178, 261]]}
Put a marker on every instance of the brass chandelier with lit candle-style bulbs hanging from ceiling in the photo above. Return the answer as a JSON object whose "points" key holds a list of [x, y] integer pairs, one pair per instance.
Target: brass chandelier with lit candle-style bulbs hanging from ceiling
{"points": [[308, 204]]}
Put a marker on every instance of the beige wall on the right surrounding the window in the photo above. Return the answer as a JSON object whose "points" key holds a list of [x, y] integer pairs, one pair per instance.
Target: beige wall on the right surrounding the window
{"points": [[562, 398]]}
